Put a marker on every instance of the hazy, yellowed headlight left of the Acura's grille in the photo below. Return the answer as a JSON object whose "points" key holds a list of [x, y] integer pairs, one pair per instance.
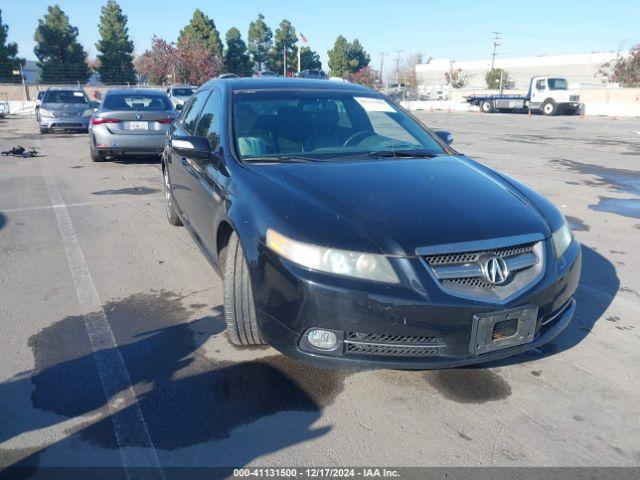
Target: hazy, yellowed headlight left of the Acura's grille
{"points": [[368, 266]]}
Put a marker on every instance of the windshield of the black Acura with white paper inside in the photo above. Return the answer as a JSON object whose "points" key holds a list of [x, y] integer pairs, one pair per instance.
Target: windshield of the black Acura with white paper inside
{"points": [[325, 125]]}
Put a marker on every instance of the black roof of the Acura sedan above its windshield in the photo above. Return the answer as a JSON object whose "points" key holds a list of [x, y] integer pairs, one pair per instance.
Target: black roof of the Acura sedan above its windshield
{"points": [[270, 83]]}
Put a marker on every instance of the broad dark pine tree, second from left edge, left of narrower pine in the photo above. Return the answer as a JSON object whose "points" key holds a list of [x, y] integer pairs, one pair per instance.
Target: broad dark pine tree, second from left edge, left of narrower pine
{"points": [[61, 58]]}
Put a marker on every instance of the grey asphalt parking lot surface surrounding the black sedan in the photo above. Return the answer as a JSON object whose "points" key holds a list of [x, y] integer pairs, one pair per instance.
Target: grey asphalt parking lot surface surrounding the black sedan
{"points": [[78, 238]]}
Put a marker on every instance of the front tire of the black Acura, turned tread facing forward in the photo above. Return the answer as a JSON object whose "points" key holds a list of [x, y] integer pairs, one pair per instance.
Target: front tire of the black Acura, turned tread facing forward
{"points": [[239, 309]]}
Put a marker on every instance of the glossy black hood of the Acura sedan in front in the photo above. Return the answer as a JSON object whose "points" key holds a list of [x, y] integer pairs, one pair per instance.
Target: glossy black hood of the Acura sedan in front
{"points": [[398, 205]]}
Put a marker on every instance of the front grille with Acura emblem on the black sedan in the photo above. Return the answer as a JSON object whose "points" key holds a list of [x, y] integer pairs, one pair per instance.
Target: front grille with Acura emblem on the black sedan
{"points": [[462, 273]]}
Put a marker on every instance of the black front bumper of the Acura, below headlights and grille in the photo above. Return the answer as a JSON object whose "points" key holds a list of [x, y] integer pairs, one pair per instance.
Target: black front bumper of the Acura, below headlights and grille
{"points": [[291, 300]]}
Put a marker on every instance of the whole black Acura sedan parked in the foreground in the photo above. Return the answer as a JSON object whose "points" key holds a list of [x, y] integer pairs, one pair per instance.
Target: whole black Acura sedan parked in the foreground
{"points": [[348, 235]]}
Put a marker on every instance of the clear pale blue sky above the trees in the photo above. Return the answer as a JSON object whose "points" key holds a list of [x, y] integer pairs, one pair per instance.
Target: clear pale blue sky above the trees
{"points": [[460, 30]]}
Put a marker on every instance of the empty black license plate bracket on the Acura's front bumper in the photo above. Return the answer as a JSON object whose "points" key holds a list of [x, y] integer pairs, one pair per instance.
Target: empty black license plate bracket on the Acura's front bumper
{"points": [[496, 330]]}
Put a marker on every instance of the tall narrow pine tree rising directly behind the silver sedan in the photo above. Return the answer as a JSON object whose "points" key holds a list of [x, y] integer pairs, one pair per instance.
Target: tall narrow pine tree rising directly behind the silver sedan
{"points": [[115, 57]]}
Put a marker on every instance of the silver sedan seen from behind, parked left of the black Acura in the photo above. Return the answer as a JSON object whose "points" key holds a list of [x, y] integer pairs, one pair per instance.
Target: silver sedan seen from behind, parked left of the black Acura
{"points": [[130, 122]]}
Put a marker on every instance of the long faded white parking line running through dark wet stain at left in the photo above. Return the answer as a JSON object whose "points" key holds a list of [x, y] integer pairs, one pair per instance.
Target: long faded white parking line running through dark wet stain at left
{"points": [[131, 432]]}
